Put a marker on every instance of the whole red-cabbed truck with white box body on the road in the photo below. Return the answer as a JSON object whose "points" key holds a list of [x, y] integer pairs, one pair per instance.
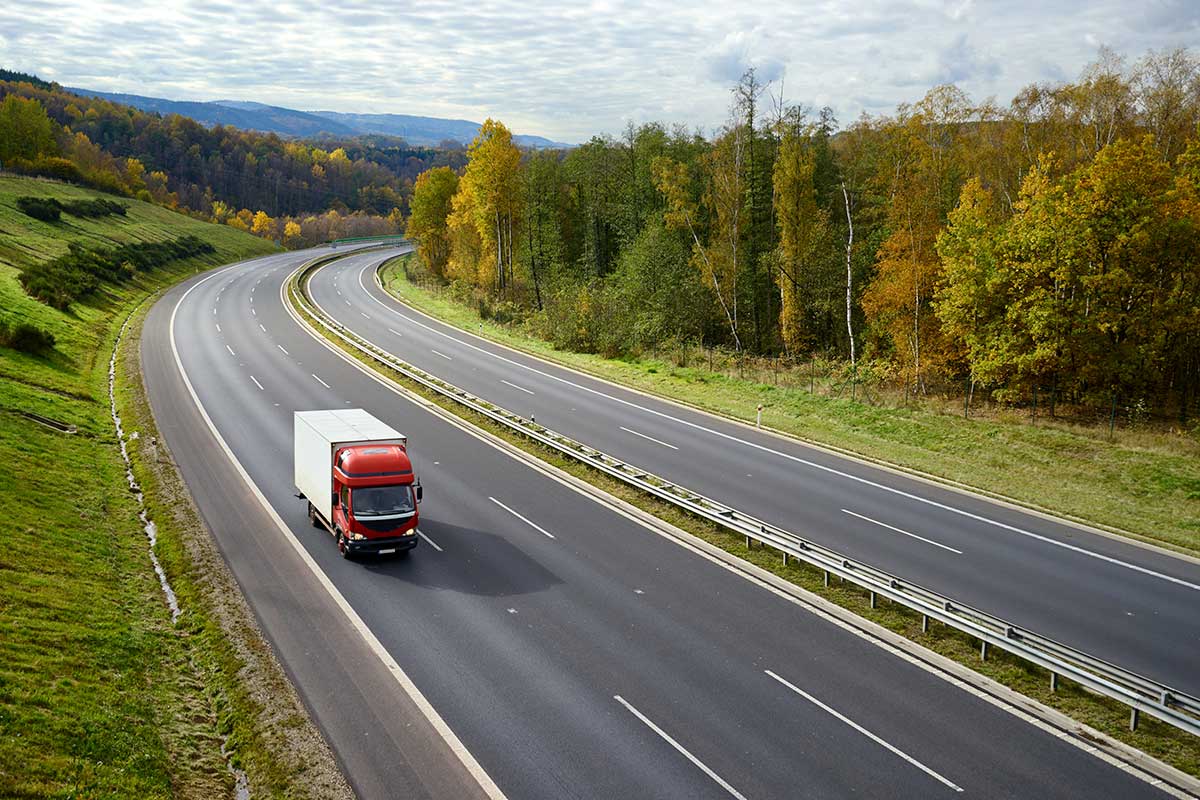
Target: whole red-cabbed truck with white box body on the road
{"points": [[358, 479]]}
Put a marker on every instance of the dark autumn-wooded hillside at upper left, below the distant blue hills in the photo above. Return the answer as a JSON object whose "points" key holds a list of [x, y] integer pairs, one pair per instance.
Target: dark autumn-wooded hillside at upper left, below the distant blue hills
{"points": [[219, 173]]}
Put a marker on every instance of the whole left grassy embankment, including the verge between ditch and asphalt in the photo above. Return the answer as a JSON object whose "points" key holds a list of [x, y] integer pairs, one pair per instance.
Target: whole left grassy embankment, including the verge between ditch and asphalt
{"points": [[101, 695]]}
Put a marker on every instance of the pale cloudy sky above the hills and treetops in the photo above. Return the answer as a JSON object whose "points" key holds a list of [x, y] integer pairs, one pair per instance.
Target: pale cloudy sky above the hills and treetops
{"points": [[569, 70]]}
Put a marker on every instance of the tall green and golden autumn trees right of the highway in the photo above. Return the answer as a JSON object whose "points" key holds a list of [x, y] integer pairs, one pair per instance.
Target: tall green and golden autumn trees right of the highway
{"points": [[1051, 244]]}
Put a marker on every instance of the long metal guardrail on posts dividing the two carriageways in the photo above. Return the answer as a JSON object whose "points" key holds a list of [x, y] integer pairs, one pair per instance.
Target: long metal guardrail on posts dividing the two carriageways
{"points": [[1141, 694]]}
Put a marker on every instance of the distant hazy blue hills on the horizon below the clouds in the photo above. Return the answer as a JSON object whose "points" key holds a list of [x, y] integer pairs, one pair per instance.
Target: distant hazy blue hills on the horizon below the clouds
{"points": [[428, 131]]}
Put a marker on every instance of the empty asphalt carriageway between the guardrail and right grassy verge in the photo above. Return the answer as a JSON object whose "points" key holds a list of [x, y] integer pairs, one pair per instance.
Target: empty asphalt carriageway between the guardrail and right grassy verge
{"points": [[1131, 605]]}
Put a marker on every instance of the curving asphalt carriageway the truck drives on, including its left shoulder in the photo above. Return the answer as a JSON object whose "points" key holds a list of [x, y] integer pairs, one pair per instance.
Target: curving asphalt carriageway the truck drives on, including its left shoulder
{"points": [[574, 653]]}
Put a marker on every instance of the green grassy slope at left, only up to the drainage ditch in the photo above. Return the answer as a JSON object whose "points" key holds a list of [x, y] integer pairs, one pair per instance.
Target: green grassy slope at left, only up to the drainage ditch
{"points": [[100, 695]]}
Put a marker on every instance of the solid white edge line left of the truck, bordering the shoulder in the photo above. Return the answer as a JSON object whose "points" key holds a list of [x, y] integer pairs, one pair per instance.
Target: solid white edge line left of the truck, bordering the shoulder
{"points": [[415, 694]]}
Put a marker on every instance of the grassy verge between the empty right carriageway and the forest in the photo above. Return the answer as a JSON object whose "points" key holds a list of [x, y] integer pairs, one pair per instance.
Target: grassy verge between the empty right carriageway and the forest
{"points": [[1147, 484]]}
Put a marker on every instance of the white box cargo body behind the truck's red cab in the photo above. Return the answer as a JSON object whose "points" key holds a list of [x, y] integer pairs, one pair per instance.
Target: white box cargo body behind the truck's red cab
{"points": [[320, 435]]}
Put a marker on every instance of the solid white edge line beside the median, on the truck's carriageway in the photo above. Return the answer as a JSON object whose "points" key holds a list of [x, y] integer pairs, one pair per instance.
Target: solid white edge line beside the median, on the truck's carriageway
{"points": [[987, 690]]}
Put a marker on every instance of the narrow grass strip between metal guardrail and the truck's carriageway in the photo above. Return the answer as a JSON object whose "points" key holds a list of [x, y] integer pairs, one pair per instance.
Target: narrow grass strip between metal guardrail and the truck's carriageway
{"points": [[1157, 739]]}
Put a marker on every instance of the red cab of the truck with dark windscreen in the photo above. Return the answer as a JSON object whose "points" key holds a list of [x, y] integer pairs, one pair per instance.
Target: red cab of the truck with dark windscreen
{"points": [[375, 500]]}
